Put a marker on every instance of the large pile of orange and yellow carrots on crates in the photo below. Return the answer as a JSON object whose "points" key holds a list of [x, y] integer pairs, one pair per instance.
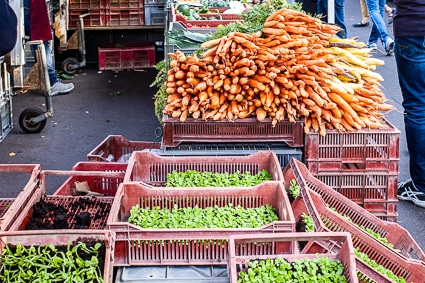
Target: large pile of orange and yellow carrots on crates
{"points": [[294, 68]]}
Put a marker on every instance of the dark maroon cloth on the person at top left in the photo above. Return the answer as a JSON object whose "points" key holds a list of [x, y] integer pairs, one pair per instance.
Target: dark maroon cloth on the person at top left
{"points": [[40, 22]]}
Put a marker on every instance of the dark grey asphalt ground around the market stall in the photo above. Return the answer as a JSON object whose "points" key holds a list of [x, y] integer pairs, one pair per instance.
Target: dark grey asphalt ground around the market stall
{"points": [[121, 103]]}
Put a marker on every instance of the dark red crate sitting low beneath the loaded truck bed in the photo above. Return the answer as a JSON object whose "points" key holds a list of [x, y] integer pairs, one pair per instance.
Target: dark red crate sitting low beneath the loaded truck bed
{"points": [[119, 56]]}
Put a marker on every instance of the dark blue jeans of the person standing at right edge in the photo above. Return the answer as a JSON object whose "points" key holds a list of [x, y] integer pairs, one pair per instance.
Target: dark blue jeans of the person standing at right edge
{"points": [[410, 58]]}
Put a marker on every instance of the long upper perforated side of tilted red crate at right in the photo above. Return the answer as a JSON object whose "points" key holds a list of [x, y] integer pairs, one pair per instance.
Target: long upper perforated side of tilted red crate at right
{"points": [[393, 232]]}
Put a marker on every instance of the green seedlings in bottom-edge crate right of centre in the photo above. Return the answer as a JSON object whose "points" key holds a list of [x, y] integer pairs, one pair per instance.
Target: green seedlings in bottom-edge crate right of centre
{"points": [[321, 269]]}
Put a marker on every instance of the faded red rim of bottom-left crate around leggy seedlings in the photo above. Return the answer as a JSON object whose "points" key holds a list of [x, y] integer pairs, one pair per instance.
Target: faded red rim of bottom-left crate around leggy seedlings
{"points": [[63, 238]]}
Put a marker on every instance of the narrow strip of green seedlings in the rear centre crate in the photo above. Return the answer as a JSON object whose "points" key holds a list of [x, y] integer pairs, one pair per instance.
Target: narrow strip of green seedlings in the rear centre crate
{"points": [[193, 178]]}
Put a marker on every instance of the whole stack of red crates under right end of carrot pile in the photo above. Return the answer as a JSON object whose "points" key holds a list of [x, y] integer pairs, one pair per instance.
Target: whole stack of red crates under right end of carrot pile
{"points": [[363, 166]]}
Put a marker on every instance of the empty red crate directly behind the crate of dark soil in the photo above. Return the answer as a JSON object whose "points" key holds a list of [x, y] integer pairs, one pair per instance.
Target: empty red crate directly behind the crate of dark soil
{"points": [[101, 177]]}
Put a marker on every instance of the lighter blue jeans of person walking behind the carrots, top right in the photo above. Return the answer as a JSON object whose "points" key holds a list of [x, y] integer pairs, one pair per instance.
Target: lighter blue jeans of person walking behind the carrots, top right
{"points": [[376, 10]]}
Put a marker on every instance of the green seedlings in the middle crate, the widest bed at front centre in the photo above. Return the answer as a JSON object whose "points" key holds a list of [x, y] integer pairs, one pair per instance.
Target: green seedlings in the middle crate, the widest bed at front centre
{"points": [[195, 217]]}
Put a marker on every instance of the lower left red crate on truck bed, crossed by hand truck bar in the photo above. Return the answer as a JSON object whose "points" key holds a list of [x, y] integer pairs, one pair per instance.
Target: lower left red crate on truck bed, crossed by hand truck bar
{"points": [[97, 17]]}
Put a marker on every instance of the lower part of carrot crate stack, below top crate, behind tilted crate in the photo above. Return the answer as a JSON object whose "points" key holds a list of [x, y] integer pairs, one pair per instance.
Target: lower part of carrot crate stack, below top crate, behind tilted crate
{"points": [[376, 191]]}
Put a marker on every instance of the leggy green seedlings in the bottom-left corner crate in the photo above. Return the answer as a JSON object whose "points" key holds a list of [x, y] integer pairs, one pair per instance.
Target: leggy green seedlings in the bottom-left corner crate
{"points": [[79, 262]]}
